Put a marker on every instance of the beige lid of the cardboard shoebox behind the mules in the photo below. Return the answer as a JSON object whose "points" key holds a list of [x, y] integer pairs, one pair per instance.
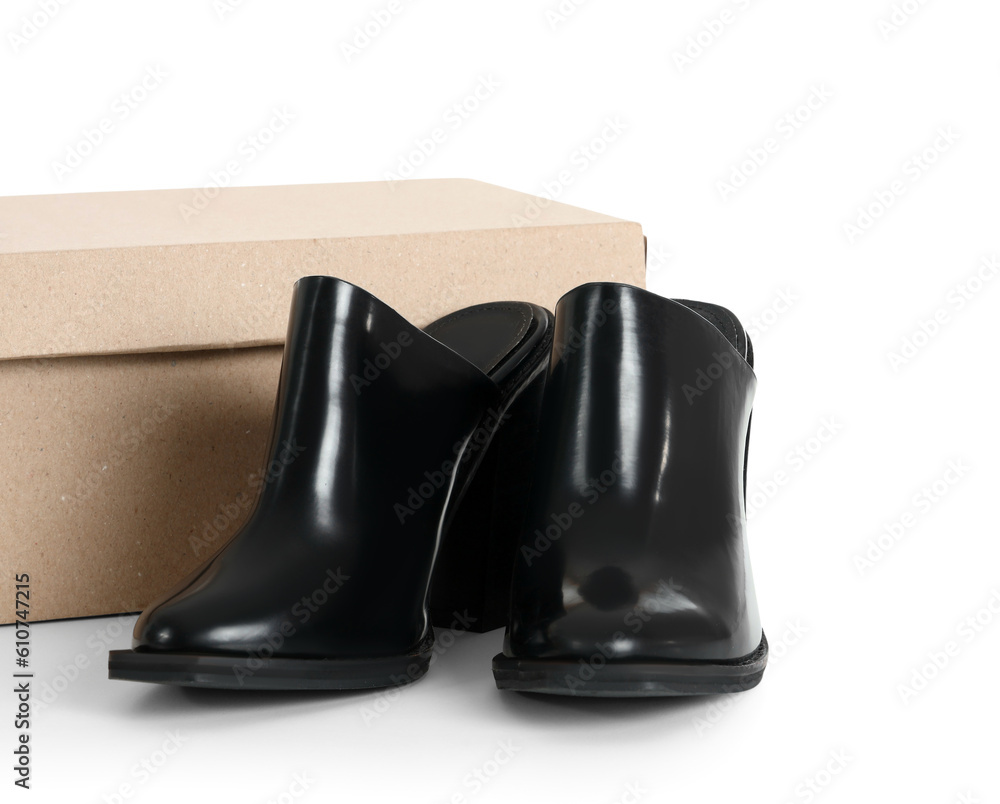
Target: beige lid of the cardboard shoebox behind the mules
{"points": [[174, 270]]}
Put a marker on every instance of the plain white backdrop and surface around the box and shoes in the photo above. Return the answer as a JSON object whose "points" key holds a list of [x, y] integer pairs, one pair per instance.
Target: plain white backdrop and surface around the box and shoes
{"points": [[826, 308]]}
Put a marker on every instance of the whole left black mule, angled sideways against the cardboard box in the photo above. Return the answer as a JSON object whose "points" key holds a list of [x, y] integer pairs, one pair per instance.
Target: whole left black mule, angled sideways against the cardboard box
{"points": [[380, 430]]}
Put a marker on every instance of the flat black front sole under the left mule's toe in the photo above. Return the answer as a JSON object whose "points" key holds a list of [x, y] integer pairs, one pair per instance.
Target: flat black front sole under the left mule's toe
{"points": [[253, 673]]}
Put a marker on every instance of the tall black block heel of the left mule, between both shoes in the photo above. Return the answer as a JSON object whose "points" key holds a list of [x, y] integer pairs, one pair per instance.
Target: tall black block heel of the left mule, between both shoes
{"points": [[470, 588]]}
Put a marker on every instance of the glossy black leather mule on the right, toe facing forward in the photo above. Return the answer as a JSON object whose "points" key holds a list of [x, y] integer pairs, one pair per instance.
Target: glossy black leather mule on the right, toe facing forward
{"points": [[632, 576]]}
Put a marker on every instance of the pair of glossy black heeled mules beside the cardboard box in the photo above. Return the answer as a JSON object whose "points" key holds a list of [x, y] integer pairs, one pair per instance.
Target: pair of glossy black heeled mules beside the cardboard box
{"points": [[578, 477]]}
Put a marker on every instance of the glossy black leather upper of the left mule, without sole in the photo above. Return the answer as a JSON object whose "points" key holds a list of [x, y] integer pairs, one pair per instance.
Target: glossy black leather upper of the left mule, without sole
{"points": [[369, 408]]}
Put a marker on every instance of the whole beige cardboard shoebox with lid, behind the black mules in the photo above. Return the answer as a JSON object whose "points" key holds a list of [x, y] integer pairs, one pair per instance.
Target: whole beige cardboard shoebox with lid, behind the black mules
{"points": [[140, 345]]}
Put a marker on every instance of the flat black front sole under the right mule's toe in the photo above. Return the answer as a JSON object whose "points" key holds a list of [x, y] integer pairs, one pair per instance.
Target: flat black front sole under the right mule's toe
{"points": [[630, 679]]}
